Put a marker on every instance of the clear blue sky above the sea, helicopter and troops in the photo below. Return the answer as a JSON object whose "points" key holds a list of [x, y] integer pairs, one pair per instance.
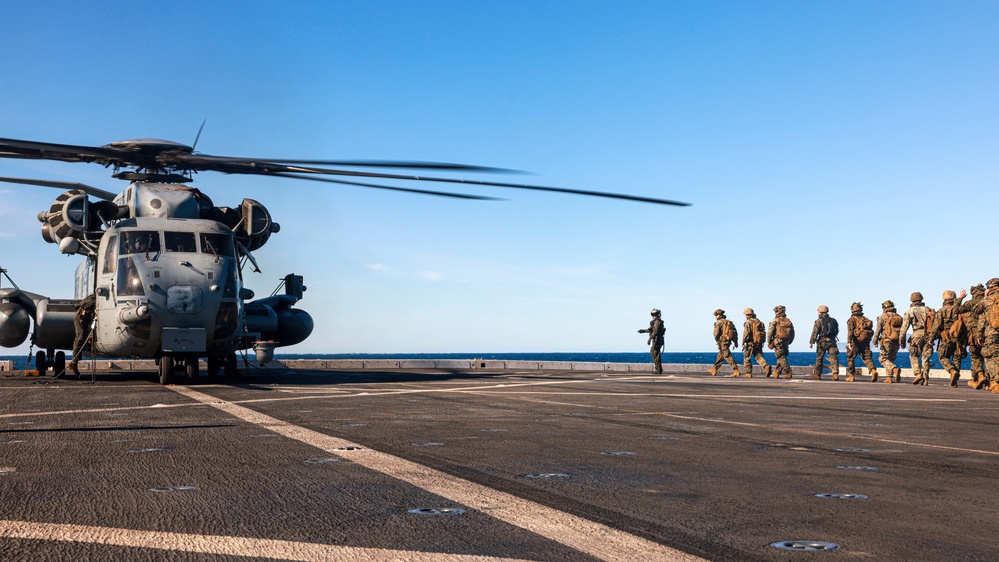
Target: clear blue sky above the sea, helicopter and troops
{"points": [[833, 152]]}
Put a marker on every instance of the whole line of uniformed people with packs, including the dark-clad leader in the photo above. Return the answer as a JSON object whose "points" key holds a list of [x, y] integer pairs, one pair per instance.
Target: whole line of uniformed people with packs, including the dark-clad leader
{"points": [[958, 329]]}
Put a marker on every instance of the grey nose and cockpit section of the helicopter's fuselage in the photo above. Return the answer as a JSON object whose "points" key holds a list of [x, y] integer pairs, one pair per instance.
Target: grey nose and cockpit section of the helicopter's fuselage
{"points": [[167, 285]]}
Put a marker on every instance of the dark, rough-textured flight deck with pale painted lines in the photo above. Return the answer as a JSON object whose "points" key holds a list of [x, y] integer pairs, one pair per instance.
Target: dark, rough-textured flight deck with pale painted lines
{"points": [[486, 463]]}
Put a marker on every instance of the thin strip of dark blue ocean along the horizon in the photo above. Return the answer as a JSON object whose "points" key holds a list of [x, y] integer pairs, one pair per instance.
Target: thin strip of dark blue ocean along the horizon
{"points": [[702, 358]]}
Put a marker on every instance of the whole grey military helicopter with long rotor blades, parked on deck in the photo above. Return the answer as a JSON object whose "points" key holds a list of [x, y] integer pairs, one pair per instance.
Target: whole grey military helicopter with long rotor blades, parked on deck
{"points": [[164, 265]]}
